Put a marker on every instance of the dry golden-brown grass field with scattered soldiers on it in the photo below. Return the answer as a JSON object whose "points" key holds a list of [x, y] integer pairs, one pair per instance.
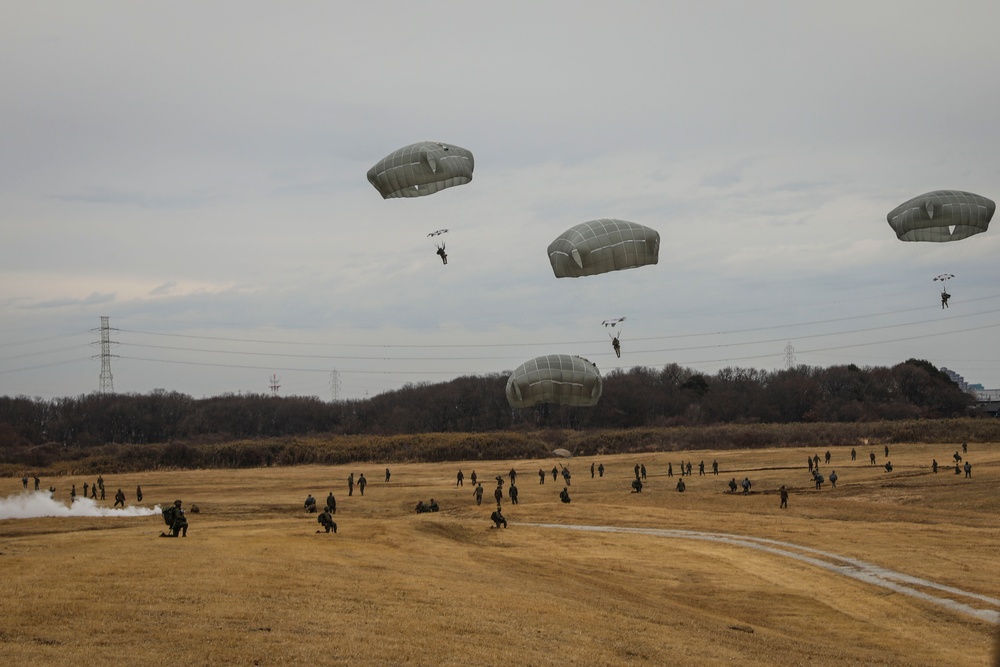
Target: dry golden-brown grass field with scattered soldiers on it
{"points": [[254, 584]]}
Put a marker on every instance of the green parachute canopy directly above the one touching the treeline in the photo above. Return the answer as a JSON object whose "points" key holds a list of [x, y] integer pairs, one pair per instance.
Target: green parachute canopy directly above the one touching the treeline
{"points": [[599, 246]]}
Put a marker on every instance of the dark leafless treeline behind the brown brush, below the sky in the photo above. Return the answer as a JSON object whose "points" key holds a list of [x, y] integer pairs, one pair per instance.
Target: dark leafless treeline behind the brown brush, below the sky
{"points": [[635, 398]]}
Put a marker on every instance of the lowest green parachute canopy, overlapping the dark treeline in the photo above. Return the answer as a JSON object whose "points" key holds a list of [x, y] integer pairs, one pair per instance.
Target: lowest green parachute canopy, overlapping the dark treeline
{"points": [[554, 378]]}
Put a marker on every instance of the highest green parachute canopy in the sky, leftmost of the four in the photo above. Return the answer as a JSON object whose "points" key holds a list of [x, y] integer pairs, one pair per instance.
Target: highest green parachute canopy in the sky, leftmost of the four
{"points": [[421, 169]]}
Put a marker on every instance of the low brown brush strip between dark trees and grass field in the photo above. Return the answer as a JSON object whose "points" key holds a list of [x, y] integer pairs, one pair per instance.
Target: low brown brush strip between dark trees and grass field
{"points": [[363, 451]]}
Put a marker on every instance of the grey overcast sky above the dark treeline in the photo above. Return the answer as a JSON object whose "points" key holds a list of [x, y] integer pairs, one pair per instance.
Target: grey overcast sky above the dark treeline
{"points": [[197, 173]]}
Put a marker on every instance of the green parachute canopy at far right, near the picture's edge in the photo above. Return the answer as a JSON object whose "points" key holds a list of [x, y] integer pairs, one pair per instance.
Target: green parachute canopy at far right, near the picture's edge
{"points": [[941, 215]]}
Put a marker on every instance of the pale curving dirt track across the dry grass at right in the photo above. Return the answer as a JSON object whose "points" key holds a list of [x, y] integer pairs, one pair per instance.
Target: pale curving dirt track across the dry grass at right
{"points": [[898, 582]]}
